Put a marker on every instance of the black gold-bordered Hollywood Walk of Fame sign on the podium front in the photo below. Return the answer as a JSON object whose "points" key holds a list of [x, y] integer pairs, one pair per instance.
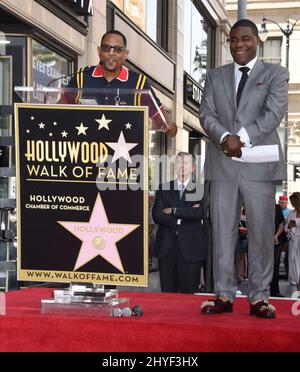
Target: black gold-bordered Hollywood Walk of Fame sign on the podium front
{"points": [[82, 194]]}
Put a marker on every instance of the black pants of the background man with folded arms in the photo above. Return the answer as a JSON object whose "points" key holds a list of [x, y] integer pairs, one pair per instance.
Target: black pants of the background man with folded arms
{"points": [[176, 274]]}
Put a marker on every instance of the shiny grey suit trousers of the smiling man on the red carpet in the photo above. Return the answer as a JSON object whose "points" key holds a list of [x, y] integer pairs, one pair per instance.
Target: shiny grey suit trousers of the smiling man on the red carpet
{"points": [[226, 198]]}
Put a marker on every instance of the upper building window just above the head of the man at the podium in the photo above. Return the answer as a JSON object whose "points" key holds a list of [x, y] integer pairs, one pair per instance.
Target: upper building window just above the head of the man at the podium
{"points": [[145, 14]]}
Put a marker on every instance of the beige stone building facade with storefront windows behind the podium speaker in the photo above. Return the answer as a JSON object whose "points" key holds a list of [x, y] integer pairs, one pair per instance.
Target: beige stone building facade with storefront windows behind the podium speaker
{"points": [[42, 42]]}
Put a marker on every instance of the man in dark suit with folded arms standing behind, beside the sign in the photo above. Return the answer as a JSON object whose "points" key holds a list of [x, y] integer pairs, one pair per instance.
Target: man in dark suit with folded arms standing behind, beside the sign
{"points": [[180, 242]]}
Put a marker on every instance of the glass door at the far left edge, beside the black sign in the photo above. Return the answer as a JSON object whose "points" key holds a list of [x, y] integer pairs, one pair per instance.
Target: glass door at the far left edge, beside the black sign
{"points": [[7, 177]]}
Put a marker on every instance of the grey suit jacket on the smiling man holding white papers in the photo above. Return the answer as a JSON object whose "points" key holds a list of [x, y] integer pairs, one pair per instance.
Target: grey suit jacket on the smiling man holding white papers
{"points": [[263, 104]]}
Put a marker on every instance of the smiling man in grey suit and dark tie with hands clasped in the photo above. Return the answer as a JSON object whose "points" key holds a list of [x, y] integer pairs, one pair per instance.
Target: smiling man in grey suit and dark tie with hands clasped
{"points": [[243, 104]]}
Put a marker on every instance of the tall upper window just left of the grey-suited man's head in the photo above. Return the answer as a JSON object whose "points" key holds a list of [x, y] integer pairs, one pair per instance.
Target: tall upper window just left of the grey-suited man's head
{"points": [[196, 35]]}
